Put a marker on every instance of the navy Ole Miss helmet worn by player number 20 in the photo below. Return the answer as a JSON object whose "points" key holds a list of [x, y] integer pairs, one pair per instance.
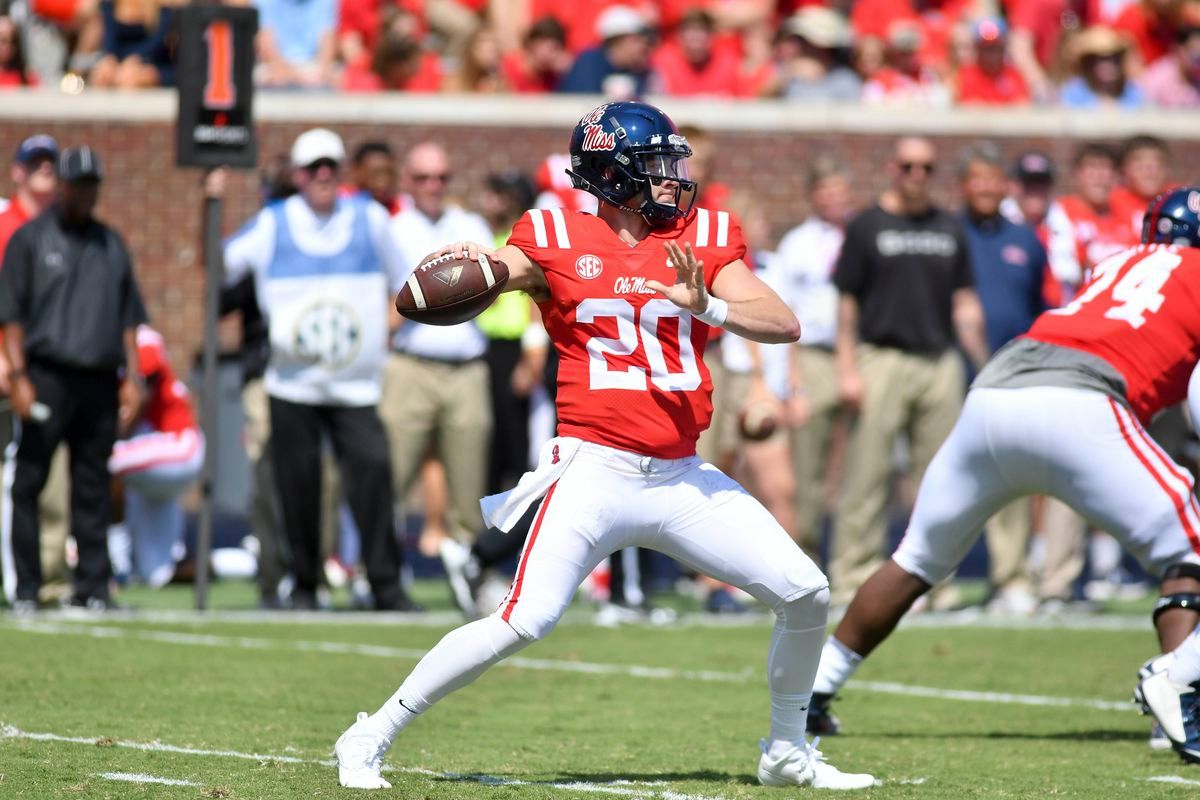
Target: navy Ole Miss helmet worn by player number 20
{"points": [[620, 152]]}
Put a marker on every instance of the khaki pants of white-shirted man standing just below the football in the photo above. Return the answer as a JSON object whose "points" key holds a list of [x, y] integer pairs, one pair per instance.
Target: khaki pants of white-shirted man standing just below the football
{"points": [[449, 406]]}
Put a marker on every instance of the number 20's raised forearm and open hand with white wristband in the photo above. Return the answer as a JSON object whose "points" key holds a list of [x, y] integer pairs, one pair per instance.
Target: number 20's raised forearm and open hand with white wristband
{"points": [[740, 303]]}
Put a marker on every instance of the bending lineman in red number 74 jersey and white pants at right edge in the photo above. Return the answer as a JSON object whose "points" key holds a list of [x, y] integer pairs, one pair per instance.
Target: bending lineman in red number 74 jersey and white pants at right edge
{"points": [[1060, 412]]}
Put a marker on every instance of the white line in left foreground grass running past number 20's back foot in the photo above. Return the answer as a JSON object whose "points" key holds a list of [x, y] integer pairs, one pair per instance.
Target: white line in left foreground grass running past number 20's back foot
{"points": [[11, 732]]}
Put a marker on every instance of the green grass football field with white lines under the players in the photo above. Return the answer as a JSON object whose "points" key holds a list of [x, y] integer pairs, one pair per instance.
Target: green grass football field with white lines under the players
{"points": [[245, 708]]}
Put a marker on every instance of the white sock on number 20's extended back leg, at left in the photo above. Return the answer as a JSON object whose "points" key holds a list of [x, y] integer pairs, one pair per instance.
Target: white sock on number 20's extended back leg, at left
{"points": [[460, 658]]}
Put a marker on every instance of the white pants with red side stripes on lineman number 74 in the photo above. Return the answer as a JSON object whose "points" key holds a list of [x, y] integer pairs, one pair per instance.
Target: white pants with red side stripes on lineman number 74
{"points": [[1081, 447]]}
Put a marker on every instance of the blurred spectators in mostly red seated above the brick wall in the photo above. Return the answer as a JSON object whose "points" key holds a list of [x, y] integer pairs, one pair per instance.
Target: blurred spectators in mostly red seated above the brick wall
{"points": [[1072, 53]]}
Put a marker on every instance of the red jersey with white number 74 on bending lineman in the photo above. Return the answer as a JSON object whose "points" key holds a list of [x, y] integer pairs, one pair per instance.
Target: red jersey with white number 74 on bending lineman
{"points": [[1138, 314]]}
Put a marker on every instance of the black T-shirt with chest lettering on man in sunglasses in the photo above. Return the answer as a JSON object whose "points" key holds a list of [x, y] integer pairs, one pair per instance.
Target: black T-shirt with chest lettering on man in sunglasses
{"points": [[904, 273]]}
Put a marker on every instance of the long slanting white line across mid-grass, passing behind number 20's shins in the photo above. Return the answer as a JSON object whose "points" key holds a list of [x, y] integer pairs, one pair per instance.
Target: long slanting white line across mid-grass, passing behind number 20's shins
{"points": [[551, 665]]}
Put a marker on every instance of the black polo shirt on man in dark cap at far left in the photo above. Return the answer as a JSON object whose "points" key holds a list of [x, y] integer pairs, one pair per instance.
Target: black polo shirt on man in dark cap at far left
{"points": [[74, 292]]}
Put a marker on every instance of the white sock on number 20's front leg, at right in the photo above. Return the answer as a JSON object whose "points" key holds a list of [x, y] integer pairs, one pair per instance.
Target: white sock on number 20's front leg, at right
{"points": [[793, 664]]}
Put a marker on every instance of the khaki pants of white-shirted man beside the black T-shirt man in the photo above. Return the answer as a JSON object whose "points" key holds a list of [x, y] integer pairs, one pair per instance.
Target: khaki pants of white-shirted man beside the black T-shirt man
{"points": [[812, 443]]}
